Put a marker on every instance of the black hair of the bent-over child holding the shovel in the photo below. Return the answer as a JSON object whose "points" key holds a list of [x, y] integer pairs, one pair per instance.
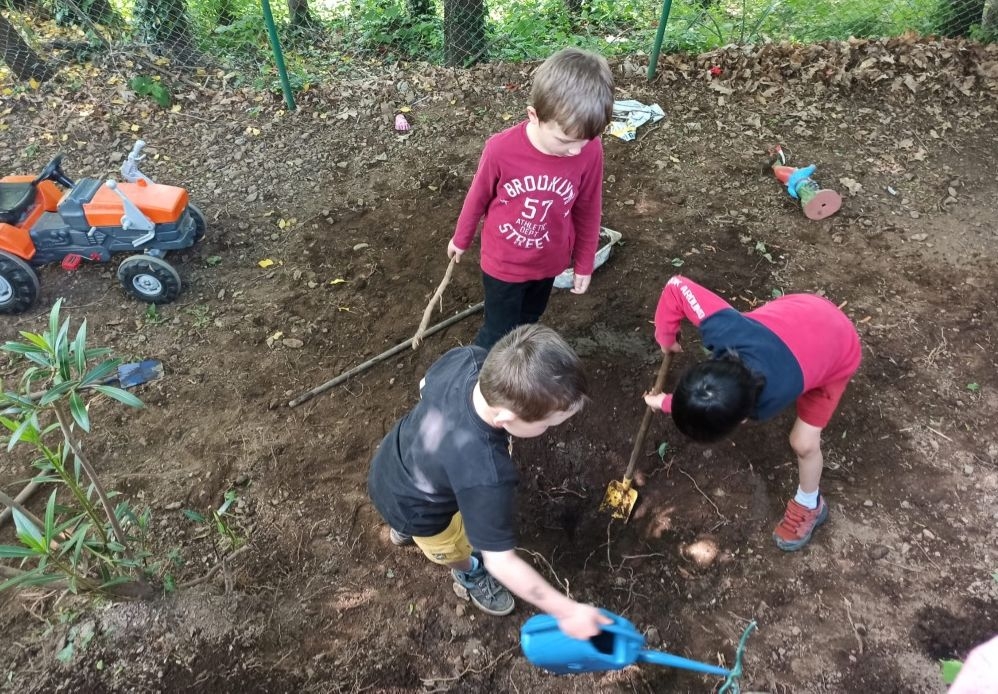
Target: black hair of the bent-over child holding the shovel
{"points": [[714, 397]]}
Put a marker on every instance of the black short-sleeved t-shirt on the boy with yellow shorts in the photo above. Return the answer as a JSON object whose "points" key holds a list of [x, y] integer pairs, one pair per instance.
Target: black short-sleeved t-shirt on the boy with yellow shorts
{"points": [[442, 457]]}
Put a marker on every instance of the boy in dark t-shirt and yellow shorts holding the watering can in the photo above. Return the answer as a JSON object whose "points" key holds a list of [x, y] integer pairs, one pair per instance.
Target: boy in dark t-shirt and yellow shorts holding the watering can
{"points": [[443, 477]]}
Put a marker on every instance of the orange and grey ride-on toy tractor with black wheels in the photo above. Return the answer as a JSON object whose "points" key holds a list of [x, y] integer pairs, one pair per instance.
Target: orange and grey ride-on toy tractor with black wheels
{"points": [[91, 220]]}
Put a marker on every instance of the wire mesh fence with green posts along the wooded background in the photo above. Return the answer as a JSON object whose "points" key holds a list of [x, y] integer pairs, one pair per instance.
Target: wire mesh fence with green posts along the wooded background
{"points": [[325, 39]]}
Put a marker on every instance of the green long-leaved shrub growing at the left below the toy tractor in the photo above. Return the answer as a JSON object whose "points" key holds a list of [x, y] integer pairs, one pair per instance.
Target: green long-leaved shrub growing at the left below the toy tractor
{"points": [[85, 542]]}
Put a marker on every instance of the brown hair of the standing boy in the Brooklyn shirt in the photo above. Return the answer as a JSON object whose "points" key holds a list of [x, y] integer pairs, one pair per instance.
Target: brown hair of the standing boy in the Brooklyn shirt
{"points": [[574, 88]]}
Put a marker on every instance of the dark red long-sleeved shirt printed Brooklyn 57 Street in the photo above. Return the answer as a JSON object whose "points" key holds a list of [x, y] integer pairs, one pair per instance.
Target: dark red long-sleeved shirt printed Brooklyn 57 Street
{"points": [[542, 212]]}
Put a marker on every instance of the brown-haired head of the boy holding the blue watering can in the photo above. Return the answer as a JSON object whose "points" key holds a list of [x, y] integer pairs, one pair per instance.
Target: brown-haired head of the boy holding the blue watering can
{"points": [[533, 373]]}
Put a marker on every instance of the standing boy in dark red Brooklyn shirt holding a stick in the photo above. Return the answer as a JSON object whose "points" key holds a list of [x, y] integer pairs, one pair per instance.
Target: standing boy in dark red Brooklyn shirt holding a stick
{"points": [[539, 187]]}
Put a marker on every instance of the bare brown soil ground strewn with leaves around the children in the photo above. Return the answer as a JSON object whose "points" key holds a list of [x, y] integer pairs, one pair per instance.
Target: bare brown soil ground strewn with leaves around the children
{"points": [[356, 220]]}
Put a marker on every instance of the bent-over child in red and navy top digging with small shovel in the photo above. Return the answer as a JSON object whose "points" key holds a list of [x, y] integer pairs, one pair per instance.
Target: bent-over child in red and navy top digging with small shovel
{"points": [[798, 348]]}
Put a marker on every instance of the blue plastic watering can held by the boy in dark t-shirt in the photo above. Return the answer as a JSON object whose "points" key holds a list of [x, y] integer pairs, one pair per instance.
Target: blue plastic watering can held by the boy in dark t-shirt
{"points": [[619, 645]]}
